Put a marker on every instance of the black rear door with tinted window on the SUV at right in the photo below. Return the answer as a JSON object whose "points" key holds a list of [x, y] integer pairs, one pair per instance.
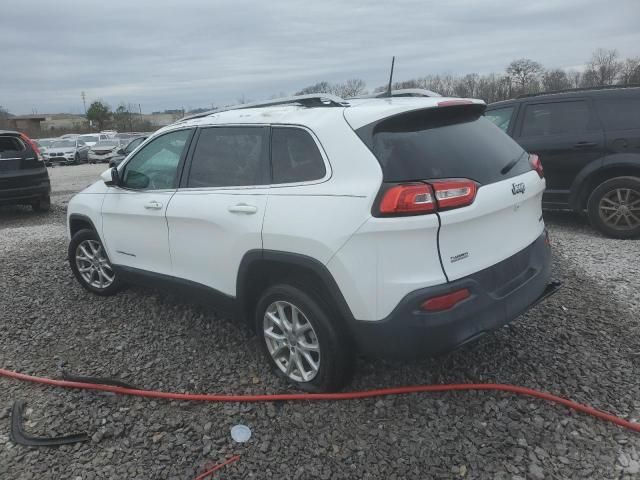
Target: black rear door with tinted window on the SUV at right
{"points": [[566, 135]]}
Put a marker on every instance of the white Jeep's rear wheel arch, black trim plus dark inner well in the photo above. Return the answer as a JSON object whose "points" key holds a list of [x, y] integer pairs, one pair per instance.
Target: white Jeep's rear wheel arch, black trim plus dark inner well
{"points": [[261, 268]]}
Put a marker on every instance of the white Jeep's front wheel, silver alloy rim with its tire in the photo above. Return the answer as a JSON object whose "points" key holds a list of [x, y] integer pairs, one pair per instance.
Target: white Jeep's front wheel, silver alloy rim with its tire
{"points": [[90, 264]]}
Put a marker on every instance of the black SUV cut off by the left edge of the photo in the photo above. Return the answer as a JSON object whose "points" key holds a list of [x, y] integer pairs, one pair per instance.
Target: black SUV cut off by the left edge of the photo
{"points": [[23, 175]]}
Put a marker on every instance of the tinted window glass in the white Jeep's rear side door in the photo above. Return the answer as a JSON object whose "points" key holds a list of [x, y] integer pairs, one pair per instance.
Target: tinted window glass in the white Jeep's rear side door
{"points": [[230, 157]]}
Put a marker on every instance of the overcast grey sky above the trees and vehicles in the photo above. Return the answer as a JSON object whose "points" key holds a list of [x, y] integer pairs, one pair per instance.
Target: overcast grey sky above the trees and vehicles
{"points": [[197, 53]]}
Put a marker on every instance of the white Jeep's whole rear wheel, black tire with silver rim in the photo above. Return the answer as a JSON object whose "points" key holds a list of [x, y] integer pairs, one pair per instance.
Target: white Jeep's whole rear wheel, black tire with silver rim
{"points": [[303, 340]]}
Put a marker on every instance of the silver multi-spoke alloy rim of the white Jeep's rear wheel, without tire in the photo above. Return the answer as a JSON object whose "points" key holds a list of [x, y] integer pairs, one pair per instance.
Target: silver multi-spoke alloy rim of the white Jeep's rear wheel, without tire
{"points": [[291, 341]]}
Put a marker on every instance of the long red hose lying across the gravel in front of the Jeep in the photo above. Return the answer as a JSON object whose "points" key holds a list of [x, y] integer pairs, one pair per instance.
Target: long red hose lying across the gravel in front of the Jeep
{"points": [[203, 397]]}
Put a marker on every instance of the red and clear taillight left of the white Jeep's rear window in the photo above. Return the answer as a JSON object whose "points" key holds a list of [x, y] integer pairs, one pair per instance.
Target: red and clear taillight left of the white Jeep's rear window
{"points": [[421, 198]]}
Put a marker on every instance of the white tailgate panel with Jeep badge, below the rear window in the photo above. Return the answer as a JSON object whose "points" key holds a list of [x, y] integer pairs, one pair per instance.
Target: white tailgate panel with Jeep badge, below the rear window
{"points": [[505, 218]]}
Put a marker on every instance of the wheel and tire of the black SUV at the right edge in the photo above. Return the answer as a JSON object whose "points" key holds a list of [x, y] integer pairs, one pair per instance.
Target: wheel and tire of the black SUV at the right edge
{"points": [[614, 207]]}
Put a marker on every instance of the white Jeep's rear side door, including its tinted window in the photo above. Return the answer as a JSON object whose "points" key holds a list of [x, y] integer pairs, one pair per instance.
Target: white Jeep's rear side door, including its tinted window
{"points": [[216, 216]]}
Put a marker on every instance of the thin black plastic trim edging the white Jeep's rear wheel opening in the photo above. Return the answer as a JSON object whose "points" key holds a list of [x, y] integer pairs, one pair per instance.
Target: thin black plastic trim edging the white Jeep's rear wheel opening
{"points": [[294, 259]]}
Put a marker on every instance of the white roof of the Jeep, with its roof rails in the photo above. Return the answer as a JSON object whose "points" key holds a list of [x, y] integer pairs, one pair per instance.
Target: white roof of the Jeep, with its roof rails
{"points": [[358, 112]]}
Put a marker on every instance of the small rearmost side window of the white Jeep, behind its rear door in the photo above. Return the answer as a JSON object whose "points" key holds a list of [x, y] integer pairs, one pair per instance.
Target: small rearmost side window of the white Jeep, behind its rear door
{"points": [[295, 156]]}
